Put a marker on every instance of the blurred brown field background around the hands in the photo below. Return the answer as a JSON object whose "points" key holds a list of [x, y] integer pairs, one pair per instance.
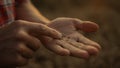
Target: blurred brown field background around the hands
{"points": [[106, 13]]}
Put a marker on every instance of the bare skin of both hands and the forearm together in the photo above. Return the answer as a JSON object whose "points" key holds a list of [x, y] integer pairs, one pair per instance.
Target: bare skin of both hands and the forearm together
{"points": [[19, 40]]}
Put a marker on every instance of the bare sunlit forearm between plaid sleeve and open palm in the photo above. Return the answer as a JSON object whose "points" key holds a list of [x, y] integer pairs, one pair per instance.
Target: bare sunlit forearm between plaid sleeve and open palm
{"points": [[26, 11]]}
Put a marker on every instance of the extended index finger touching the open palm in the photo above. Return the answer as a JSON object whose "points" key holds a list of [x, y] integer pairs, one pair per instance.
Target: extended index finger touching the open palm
{"points": [[39, 29]]}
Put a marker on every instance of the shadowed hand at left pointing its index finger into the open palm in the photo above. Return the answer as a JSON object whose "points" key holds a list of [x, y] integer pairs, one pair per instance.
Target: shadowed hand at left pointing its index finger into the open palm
{"points": [[18, 42]]}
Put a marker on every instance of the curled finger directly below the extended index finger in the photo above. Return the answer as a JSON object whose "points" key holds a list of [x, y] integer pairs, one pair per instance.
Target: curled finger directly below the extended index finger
{"points": [[32, 42]]}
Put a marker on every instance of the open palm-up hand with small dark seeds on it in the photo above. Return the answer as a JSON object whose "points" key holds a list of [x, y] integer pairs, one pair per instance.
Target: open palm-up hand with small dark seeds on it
{"points": [[73, 43]]}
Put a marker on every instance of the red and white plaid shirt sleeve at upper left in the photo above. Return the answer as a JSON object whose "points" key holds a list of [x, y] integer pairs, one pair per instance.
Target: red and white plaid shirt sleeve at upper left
{"points": [[7, 14]]}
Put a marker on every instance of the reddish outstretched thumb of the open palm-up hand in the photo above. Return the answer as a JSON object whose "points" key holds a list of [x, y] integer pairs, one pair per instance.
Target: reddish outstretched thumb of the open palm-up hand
{"points": [[86, 26]]}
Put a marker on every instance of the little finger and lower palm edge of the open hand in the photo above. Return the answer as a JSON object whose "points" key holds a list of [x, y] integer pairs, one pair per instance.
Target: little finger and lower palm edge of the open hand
{"points": [[51, 44]]}
